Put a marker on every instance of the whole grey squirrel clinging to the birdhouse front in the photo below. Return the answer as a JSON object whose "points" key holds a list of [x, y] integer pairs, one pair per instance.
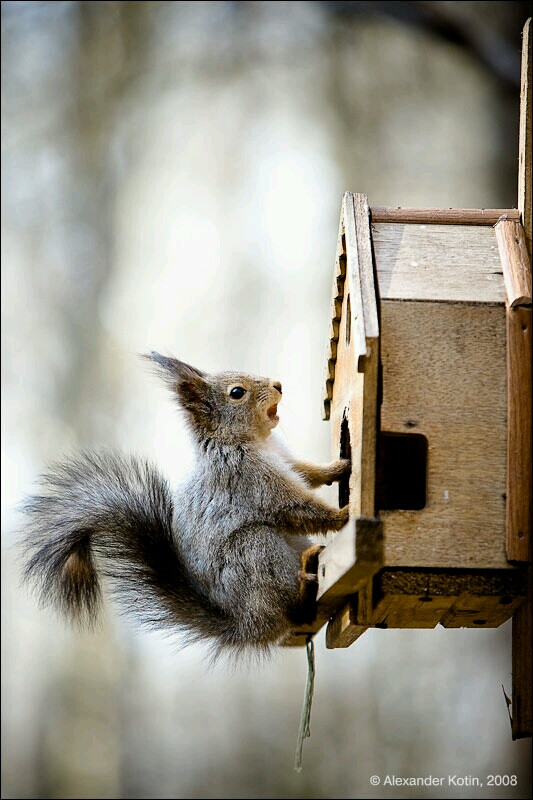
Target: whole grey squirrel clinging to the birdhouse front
{"points": [[226, 558]]}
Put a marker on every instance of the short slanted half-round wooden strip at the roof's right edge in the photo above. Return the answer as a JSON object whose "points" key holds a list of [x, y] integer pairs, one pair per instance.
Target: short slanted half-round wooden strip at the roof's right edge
{"points": [[515, 262]]}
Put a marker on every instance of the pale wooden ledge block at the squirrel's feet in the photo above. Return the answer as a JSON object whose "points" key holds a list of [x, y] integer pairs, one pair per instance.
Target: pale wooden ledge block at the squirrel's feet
{"points": [[347, 562]]}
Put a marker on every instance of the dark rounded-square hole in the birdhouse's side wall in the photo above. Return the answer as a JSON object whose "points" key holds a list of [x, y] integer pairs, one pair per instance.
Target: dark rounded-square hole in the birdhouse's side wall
{"points": [[401, 471]]}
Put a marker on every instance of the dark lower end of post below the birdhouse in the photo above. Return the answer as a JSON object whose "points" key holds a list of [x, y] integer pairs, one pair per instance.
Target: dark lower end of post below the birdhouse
{"points": [[522, 706]]}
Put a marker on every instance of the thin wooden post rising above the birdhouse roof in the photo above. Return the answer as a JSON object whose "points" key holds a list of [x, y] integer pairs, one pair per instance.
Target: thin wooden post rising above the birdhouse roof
{"points": [[525, 144]]}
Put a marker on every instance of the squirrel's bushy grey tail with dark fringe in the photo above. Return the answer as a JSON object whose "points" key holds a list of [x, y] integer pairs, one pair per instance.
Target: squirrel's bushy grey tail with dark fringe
{"points": [[108, 515]]}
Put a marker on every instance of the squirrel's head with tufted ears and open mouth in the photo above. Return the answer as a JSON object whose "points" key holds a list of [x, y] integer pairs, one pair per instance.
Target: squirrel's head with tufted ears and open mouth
{"points": [[230, 406]]}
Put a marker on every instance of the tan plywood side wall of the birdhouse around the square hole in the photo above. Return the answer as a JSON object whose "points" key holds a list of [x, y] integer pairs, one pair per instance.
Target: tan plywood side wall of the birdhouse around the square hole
{"points": [[444, 371]]}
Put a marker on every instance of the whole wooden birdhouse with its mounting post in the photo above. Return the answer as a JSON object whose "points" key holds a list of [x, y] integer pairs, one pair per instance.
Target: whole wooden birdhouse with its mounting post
{"points": [[428, 392]]}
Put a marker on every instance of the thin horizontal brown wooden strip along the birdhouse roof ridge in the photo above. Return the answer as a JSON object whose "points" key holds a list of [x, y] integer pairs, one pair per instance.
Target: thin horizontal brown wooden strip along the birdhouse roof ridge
{"points": [[443, 216]]}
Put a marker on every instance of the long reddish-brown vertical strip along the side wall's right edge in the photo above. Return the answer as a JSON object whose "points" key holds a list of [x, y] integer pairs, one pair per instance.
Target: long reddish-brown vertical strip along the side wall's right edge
{"points": [[519, 536]]}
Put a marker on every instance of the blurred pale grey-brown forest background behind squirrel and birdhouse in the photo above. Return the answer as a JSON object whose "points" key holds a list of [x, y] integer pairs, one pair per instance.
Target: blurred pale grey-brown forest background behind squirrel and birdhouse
{"points": [[172, 175]]}
